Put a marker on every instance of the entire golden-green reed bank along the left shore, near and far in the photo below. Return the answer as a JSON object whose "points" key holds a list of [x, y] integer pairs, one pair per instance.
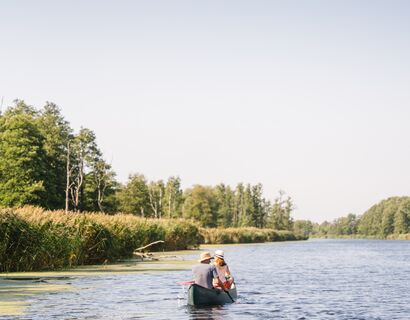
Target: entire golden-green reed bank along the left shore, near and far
{"points": [[37, 239]]}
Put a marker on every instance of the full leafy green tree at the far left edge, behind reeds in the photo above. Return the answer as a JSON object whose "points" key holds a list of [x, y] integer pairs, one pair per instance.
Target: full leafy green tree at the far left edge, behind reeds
{"points": [[22, 165]]}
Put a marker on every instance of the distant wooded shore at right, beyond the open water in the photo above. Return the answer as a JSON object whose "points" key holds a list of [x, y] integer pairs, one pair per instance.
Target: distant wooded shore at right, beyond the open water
{"points": [[388, 218]]}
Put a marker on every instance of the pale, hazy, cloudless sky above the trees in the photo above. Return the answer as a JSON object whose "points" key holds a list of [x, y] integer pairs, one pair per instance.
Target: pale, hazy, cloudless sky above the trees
{"points": [[309, 97]]}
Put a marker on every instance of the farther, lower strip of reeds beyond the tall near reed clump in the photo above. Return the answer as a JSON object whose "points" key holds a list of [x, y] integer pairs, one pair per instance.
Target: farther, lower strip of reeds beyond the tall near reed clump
{"points": [[246, 235]]}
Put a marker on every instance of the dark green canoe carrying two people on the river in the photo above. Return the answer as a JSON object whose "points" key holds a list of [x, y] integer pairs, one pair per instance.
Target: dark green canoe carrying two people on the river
{"points": [[200, 296]]}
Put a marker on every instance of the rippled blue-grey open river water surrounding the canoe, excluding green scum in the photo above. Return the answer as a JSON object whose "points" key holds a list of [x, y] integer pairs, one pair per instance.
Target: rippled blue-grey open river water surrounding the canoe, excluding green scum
{"points": [[318, 279]]}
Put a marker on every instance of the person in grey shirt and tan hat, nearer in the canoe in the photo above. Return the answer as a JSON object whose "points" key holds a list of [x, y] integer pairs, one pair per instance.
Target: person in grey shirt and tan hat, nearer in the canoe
{"points": [[205, 273]]}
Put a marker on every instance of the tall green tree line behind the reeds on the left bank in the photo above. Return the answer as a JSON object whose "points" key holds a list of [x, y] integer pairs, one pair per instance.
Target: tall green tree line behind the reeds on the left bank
{"points": [[45, 163]]}
